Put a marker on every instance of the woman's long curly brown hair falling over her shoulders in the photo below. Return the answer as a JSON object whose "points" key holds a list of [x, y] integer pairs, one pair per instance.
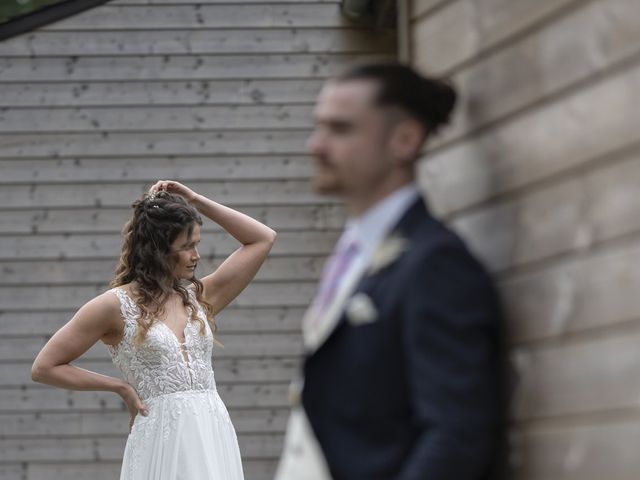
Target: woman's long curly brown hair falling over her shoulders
{"points": [[147, 259]]}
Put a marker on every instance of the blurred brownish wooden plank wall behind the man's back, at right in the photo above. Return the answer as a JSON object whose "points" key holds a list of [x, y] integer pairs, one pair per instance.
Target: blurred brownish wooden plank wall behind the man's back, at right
{"points": [[540, 171]]}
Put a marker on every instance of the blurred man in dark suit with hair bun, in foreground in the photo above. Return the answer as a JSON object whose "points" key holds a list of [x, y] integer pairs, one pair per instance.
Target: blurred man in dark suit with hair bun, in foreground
{"points": [[401, 377]]}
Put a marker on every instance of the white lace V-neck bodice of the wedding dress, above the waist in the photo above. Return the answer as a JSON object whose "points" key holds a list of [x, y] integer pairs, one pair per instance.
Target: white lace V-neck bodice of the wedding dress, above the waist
{"points": [[159, 366]]}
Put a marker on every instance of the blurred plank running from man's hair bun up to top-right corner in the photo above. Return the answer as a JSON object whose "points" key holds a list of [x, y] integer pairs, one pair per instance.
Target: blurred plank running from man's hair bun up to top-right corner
{"points": [[575, 48]]}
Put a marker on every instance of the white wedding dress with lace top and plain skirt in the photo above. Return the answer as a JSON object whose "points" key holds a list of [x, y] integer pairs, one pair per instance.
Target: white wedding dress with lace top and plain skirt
{"points": [[188, 434]]}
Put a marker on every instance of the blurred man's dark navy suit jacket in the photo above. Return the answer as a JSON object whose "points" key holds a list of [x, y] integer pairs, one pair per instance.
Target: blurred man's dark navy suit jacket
{"points": [[415, 394]]}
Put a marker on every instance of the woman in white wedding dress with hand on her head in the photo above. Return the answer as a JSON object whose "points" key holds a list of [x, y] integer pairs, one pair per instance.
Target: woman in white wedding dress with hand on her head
{"points": [[158, 324]]}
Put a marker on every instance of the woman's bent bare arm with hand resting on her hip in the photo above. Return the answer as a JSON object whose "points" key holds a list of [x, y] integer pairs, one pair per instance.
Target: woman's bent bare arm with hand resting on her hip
{"points": [[97, 319]]}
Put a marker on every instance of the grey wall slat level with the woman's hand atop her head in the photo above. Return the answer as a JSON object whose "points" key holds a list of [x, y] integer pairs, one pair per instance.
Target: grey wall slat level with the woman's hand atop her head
{"points": [[106, 194]]}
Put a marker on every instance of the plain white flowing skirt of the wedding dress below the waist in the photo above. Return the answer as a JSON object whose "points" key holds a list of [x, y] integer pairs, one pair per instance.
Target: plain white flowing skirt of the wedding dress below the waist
{"points": [[186, 436]]}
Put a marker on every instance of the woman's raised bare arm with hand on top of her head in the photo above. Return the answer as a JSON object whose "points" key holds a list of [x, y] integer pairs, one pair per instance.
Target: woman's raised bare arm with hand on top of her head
{"points": [[237, 271]]}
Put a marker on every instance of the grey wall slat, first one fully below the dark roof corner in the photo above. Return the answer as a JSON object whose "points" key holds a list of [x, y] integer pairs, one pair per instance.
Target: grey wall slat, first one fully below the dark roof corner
{"points": [[196, 67]]}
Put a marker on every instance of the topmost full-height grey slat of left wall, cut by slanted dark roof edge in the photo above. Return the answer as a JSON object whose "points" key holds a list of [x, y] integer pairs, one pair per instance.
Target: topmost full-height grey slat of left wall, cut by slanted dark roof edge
{"points": [[194, 16]]}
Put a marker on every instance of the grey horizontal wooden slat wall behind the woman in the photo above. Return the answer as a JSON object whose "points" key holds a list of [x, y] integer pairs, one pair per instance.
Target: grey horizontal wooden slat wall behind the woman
{"points": [[216, 93]]}
